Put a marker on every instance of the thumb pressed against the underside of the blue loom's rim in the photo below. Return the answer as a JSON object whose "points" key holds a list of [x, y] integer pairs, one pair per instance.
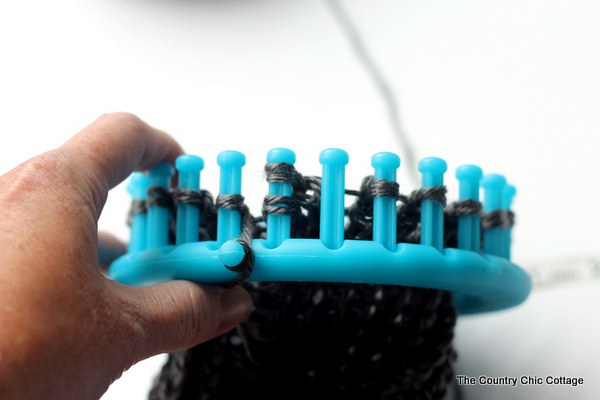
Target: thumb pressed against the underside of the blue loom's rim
{"points": [[177, 315]]}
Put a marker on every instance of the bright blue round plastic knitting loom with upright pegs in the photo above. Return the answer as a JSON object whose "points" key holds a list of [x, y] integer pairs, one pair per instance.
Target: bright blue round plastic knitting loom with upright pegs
{"points": [[480, 274]]}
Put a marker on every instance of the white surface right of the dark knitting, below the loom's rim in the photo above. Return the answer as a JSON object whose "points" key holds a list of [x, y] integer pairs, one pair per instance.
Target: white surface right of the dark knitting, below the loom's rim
{"points": [[553, 334]]}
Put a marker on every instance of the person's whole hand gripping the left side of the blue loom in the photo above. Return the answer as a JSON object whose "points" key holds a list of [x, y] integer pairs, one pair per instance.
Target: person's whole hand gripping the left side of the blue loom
{"points": [[66, 331]]}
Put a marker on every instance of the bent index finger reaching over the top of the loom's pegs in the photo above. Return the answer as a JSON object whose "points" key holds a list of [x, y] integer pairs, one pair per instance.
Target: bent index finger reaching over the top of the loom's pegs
{"points": [[115, 145]]}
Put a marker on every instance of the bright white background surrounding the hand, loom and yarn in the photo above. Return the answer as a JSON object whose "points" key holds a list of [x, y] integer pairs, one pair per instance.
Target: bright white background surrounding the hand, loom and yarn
{"points": [[512, 86]]}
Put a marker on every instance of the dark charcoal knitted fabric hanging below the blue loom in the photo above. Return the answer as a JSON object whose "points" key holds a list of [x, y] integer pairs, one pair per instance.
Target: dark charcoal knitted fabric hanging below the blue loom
{"points": [[323, 341]]}
